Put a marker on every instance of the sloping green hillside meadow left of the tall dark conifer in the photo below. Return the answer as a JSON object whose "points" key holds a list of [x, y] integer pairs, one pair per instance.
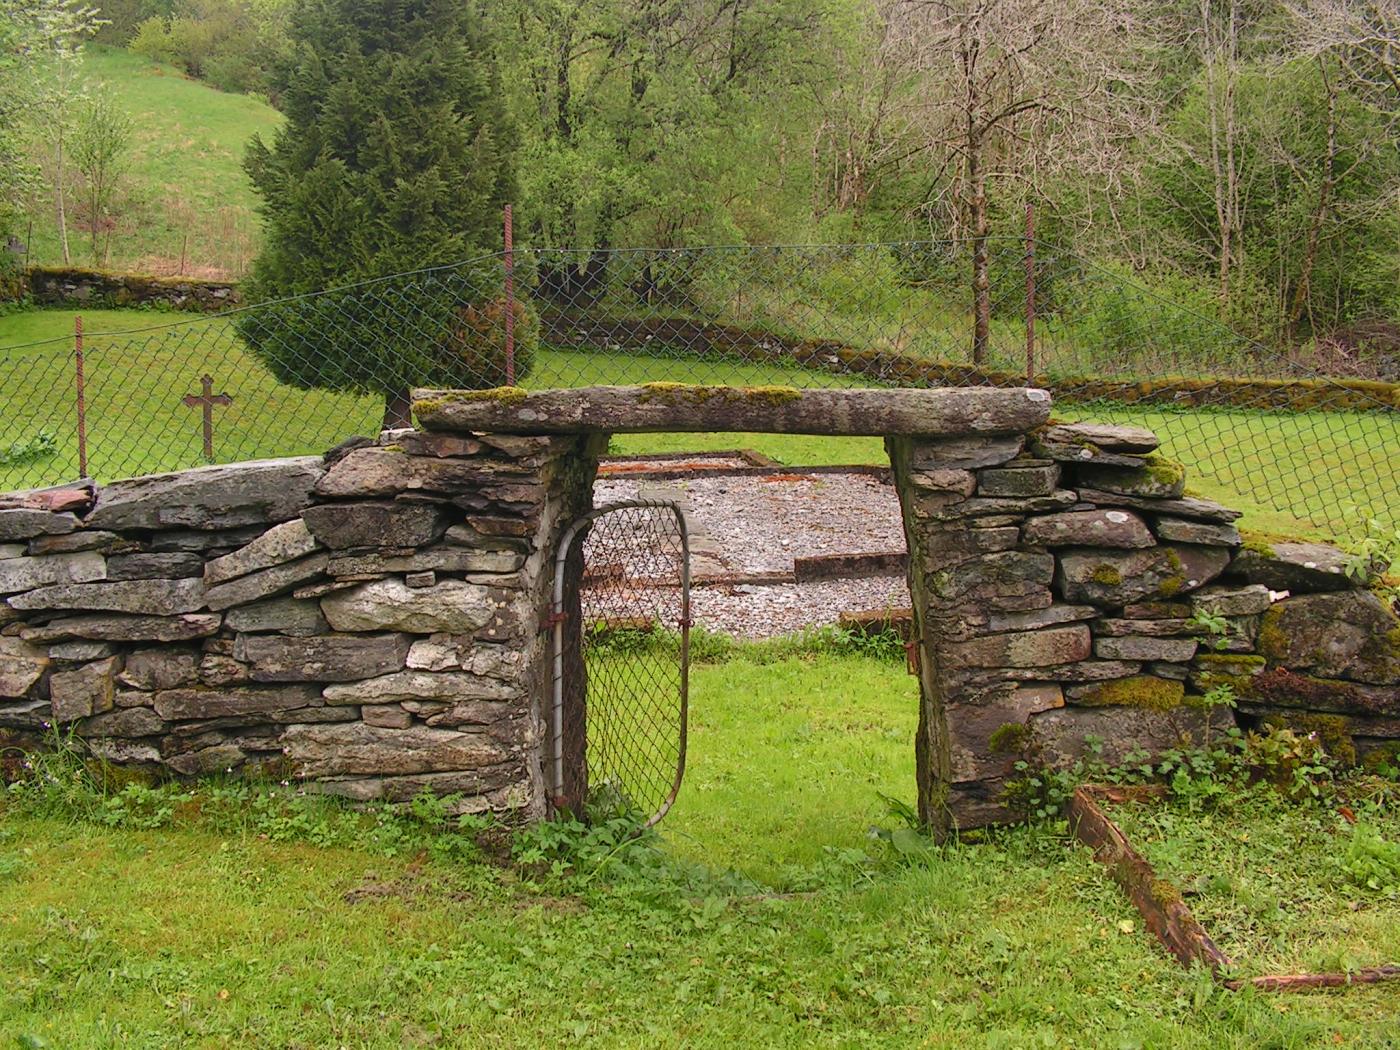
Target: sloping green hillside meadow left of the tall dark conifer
{"points": [[187, 194]]}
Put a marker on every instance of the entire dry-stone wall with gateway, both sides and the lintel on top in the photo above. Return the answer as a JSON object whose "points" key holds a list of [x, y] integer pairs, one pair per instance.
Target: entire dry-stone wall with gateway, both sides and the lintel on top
{"points": [[374, 622]]}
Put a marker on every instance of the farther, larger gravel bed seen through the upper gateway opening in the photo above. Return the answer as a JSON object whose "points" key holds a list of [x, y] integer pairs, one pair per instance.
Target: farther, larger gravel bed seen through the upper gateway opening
{"points": [[762, 524]]}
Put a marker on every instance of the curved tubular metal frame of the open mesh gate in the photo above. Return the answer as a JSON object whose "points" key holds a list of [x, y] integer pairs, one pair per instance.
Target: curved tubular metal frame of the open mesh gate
{"points": [[559, 619]]}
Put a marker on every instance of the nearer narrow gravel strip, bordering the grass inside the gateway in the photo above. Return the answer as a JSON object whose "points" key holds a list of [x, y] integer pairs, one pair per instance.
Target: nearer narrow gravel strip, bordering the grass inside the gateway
{"points": [[766, 611]]}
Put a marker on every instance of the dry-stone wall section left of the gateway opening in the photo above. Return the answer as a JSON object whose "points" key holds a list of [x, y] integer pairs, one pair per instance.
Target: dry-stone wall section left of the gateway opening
{"points": [[370, 622]]}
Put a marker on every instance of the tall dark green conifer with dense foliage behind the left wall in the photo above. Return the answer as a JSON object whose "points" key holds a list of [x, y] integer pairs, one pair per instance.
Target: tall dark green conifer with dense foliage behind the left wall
{"points": [[395, 157]]}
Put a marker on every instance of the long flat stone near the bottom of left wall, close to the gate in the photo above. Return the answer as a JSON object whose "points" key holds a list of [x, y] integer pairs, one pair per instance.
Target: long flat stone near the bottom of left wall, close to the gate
{"points": [[358, 750]]}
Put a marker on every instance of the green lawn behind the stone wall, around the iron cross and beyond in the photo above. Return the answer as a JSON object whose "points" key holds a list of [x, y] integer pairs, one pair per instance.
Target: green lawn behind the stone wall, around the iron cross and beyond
{"points": [[1293, 474]]}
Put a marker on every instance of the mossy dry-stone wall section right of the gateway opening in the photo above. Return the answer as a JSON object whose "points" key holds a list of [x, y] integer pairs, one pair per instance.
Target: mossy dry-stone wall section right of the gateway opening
{"points": [[1062, 587]]}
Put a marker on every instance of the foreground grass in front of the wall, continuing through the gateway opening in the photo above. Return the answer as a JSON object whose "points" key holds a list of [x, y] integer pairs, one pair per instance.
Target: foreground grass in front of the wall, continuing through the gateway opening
{"points": [[220, 934]]}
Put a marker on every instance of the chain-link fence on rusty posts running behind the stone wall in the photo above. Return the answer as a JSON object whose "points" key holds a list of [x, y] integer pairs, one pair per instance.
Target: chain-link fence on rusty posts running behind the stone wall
{"points": [[1301, 440]]}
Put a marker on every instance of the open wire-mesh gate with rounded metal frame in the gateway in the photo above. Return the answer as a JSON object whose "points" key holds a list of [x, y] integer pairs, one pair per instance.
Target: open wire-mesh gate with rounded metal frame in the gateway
{"points": [[622, 643]]}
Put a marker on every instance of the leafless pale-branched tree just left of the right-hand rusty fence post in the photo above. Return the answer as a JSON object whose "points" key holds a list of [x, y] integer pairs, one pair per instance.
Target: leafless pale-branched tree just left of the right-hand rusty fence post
{"points": [[1014, 89]]}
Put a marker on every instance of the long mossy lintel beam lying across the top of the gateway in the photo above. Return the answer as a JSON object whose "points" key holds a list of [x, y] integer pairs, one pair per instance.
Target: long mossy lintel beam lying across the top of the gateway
{"points": [[678, 408]]}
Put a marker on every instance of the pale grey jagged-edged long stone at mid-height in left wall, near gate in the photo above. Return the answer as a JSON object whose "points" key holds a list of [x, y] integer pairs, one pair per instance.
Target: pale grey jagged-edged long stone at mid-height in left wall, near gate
{"points": [[453, 607]]}
